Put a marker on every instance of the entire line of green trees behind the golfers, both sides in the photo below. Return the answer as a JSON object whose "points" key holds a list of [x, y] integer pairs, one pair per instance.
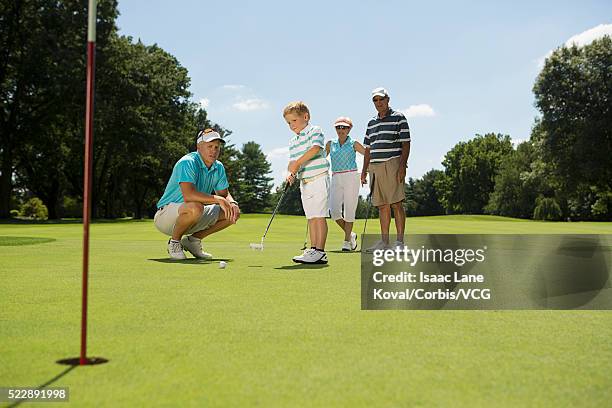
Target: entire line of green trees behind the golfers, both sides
{"points": [[145, 120]]}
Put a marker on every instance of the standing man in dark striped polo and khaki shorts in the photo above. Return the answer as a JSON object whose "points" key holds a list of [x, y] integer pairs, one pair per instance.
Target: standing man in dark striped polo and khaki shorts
{"points": [[387, 143]]}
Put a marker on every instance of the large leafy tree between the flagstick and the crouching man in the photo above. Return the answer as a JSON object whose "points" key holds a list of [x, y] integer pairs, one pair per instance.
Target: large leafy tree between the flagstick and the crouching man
{"points": [[145, 122]]}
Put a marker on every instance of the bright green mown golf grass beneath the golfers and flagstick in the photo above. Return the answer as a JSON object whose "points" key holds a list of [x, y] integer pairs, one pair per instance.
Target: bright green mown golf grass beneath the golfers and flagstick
{"points": [[268, 332]]}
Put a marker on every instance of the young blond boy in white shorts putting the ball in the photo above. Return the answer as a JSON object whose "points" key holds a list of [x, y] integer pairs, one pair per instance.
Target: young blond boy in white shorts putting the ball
{"points": [[308, 164]]}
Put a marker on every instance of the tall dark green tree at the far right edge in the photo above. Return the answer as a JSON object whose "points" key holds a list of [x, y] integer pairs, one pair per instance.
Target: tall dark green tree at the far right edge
{"points": [[573, 91]]}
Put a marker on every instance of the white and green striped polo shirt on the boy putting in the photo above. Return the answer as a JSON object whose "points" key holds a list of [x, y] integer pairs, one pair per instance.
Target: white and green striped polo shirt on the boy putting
{"points": [[310, 136]]}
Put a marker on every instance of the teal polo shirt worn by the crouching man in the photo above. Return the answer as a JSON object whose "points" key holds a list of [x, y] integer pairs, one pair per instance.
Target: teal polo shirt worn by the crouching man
{"points": [[191, 169]]}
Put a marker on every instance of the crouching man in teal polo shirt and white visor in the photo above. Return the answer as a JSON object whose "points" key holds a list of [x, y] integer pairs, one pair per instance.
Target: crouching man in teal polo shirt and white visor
{"points": [[196, 202]]}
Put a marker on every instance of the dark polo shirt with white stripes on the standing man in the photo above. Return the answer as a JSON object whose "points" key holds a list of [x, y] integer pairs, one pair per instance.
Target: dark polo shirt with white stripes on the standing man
{"points": [[384, 136]]}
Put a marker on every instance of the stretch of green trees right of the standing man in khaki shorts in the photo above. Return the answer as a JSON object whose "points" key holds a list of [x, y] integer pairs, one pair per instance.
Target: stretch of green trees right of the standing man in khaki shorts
{"points": [[564, 170]]}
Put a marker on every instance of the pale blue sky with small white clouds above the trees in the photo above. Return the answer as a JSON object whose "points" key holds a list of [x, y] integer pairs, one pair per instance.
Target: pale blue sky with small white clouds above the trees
{"points": [[456, 69]]}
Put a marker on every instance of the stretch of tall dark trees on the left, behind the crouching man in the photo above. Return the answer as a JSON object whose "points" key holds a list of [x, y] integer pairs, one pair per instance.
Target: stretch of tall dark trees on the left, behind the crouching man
{"points": [[144, 116]]}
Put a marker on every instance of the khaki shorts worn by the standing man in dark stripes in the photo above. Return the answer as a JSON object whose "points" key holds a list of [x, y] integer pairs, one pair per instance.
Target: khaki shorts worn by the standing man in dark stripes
{"points": [[386, 188]]}
